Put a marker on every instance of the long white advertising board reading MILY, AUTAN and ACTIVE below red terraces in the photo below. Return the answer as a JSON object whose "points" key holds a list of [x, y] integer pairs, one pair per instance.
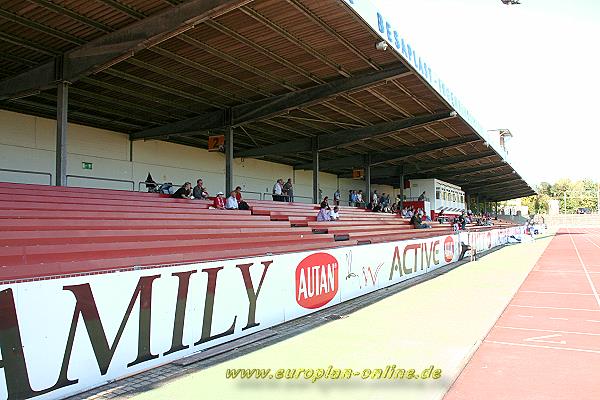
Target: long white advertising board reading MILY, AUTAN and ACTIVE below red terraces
{"points": [[59, 337]]}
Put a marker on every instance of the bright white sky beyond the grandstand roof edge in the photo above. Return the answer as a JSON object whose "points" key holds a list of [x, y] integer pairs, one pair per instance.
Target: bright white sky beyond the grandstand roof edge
{"points": [[533, 68]]}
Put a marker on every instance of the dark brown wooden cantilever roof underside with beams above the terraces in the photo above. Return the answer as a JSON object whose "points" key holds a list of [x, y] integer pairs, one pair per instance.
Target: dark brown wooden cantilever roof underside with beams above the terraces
{"points": [[280, 71]]}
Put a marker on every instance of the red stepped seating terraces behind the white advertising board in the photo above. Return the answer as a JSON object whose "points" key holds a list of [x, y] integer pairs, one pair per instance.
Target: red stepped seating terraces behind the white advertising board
{"points": [[51, 230]]}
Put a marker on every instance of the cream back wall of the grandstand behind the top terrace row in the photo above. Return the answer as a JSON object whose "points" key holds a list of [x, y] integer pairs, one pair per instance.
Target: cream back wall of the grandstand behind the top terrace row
{"points": [[28, 143]]}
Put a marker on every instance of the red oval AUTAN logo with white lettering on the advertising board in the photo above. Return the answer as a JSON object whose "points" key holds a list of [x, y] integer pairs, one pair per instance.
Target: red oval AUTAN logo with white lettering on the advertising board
{"points": [[317, 280]]}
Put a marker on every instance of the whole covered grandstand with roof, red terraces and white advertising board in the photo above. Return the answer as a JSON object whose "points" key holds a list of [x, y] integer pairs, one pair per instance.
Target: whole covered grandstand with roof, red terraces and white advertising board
{"points": [[95, 96]]}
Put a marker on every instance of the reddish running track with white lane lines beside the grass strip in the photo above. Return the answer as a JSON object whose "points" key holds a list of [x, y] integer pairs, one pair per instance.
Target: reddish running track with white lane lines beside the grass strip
{"points": [[546, 344]]}
